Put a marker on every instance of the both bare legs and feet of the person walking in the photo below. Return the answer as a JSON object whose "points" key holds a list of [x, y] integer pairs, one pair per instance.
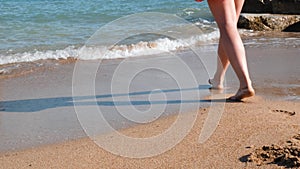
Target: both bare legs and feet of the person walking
{"points": [[231, 49]]}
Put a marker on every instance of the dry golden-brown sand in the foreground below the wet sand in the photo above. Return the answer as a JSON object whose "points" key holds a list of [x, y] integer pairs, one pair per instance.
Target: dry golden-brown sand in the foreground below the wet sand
{"points": [[243, 128]]}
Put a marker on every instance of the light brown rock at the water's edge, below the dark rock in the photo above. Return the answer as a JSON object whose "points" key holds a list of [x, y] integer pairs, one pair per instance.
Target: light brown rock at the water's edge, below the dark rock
{"points": [[267, 22]]}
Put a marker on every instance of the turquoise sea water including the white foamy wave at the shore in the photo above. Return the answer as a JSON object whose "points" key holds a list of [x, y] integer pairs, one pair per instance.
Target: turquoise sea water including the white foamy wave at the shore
{"points": [[32, 30]]}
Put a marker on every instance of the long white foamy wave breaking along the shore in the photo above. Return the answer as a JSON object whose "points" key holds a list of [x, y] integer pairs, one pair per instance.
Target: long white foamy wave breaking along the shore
{"points": [[111, 52]]}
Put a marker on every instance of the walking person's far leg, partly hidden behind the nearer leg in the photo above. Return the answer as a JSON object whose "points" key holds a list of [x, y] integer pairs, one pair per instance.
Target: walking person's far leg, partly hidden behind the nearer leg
{"points": [[222, 60]]}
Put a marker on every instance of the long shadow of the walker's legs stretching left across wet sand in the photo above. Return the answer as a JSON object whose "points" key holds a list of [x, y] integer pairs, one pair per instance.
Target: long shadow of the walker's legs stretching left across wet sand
{"points": [[34, 105]]}
